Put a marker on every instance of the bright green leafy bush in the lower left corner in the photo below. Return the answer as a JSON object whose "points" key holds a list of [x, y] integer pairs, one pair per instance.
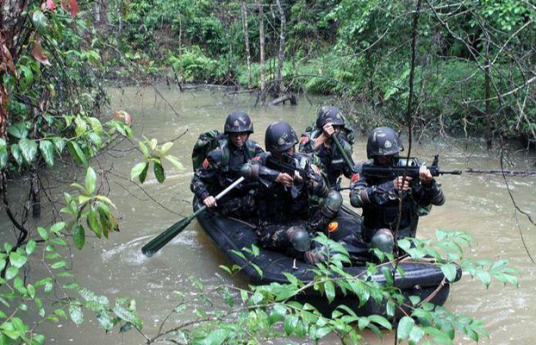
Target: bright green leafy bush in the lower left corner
{"points": [[25, 300]]}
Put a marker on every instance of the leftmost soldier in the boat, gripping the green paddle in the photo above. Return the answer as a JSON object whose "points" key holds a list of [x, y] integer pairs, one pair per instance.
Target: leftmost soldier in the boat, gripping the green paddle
{"points": [[222, 167]]}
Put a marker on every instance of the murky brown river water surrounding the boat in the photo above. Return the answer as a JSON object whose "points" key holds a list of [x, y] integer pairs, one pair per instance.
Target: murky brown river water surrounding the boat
{"points": [[479, 205]]}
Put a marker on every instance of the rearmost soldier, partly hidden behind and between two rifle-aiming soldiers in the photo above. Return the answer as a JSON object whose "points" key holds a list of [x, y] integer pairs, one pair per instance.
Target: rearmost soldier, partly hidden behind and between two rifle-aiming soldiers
{"points": [[330, 122]]}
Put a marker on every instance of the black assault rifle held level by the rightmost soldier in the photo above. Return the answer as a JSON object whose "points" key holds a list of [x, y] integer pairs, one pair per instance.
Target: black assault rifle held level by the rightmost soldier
{"points": [[398, 168]]}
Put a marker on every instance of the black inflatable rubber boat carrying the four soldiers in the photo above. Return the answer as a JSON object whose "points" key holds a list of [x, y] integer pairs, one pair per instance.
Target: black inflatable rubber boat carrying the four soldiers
{"points": [[421, 278]]}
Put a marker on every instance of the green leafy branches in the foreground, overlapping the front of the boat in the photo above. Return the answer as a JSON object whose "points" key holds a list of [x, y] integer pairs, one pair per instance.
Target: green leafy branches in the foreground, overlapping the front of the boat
{"points": [[258, 313]]}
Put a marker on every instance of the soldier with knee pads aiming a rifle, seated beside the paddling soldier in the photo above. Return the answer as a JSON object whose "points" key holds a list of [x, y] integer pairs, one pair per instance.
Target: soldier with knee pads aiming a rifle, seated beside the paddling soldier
{"points": [[288, 181]]}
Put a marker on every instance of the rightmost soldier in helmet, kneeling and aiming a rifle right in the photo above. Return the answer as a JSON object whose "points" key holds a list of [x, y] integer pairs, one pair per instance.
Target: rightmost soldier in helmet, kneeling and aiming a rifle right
{"points": [[379, 198]]}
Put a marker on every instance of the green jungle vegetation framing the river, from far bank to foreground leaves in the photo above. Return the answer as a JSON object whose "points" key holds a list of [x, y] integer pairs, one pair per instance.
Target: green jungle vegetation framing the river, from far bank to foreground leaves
{"points": [[439, 66]]}
